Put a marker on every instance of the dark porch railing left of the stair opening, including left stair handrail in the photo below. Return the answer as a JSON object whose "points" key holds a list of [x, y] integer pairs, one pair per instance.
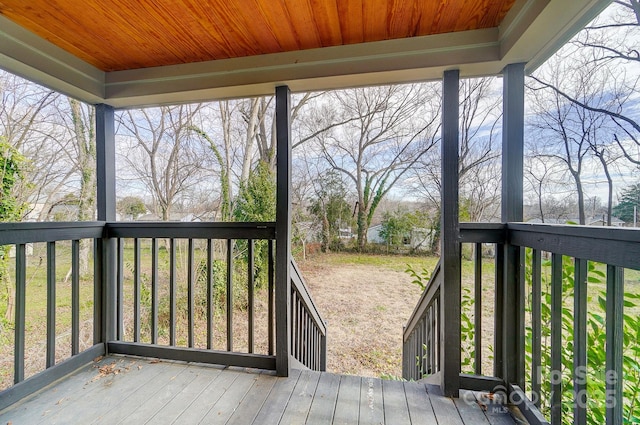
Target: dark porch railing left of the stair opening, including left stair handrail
{"points": [[209, 309]]}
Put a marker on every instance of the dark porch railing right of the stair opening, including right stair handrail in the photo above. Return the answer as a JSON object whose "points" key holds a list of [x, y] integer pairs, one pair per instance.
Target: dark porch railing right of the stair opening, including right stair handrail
{"points": [[563, 259]]}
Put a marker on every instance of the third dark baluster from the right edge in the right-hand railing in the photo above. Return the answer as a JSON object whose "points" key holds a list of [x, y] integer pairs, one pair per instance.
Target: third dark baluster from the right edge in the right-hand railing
{"points": [[556, 339]]}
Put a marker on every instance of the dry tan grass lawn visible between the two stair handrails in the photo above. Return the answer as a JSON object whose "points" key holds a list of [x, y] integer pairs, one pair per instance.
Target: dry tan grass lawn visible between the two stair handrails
{"points": [[365, 300]]}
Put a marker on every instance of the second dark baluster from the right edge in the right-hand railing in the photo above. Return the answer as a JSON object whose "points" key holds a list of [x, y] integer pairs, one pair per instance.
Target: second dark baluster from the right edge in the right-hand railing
{"points": [[580, 342]]}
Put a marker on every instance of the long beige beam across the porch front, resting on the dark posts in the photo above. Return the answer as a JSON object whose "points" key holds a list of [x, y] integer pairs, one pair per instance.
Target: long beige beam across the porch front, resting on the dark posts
{"points": [[384, 62]]}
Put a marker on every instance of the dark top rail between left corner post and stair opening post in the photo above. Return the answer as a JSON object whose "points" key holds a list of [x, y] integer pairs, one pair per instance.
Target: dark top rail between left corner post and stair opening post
{"points": [[195, 230]]}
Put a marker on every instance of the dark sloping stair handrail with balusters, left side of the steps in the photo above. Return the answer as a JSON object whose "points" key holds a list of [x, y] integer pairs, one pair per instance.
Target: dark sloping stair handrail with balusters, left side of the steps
{"points": [[308, 329]]}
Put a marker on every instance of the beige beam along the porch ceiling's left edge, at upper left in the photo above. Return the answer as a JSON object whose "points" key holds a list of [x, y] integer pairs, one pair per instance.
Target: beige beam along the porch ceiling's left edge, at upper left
{"points": [[25, 54]]}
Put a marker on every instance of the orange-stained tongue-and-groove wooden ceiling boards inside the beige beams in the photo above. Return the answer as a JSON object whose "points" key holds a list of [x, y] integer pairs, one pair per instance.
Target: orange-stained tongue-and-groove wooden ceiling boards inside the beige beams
{"points": [[129, 34]]}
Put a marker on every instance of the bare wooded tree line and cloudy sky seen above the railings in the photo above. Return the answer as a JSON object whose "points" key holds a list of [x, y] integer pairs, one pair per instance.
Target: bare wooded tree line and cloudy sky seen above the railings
{"points": [[352, 148]]}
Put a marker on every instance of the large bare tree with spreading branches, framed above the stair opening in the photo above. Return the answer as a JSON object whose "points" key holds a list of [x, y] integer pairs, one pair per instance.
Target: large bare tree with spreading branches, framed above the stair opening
{"points": [[391, 128]]}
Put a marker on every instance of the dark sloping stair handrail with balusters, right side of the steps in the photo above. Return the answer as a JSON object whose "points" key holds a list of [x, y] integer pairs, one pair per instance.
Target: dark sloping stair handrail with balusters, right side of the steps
{"points": [[421, 339]]}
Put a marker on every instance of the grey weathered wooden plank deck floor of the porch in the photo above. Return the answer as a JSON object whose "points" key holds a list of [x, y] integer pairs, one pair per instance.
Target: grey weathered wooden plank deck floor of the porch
{"points": [[125, 390]]}
